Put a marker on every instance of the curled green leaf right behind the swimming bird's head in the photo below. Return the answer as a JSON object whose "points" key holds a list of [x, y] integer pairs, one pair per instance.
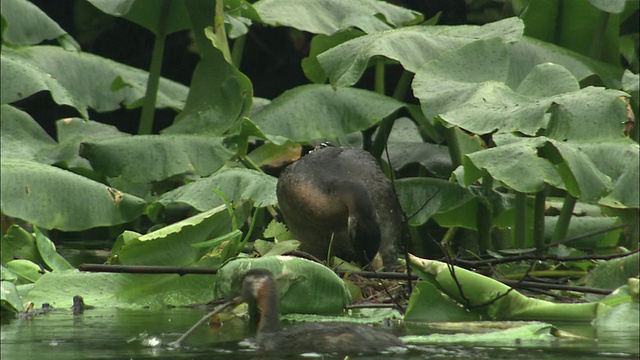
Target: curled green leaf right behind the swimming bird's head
{"points": [[303, 286]]}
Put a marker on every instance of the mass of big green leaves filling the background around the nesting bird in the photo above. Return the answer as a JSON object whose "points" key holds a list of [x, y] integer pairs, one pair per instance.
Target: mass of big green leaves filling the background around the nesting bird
{"points": [[483, 120]]}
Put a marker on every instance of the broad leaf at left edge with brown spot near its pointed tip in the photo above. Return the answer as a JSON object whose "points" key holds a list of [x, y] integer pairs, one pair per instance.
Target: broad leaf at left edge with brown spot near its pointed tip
{"points": [[53, 198]]}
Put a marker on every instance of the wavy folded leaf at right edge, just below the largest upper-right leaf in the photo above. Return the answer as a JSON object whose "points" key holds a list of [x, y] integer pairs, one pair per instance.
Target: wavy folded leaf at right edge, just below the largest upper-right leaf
{"points": [[595, 171]]}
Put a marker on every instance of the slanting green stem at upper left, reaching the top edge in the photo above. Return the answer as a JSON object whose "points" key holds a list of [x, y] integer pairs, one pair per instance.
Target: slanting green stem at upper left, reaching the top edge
{"points": [[149, 105]]}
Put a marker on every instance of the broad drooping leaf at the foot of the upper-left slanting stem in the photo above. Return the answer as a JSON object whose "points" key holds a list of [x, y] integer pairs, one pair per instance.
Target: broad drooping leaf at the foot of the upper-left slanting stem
{"points": [[148, 158]]}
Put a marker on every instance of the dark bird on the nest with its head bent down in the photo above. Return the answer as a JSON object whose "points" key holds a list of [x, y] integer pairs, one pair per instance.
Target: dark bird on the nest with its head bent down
{"points": [[341, 192]]}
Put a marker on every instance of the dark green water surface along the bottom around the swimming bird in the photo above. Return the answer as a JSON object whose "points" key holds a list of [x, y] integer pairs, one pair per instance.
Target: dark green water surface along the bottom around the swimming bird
{"points": [[132, 334]]}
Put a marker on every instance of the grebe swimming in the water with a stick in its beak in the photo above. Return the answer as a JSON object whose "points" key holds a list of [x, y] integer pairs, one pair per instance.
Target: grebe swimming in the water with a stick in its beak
{"points": [[259, 289]]}
